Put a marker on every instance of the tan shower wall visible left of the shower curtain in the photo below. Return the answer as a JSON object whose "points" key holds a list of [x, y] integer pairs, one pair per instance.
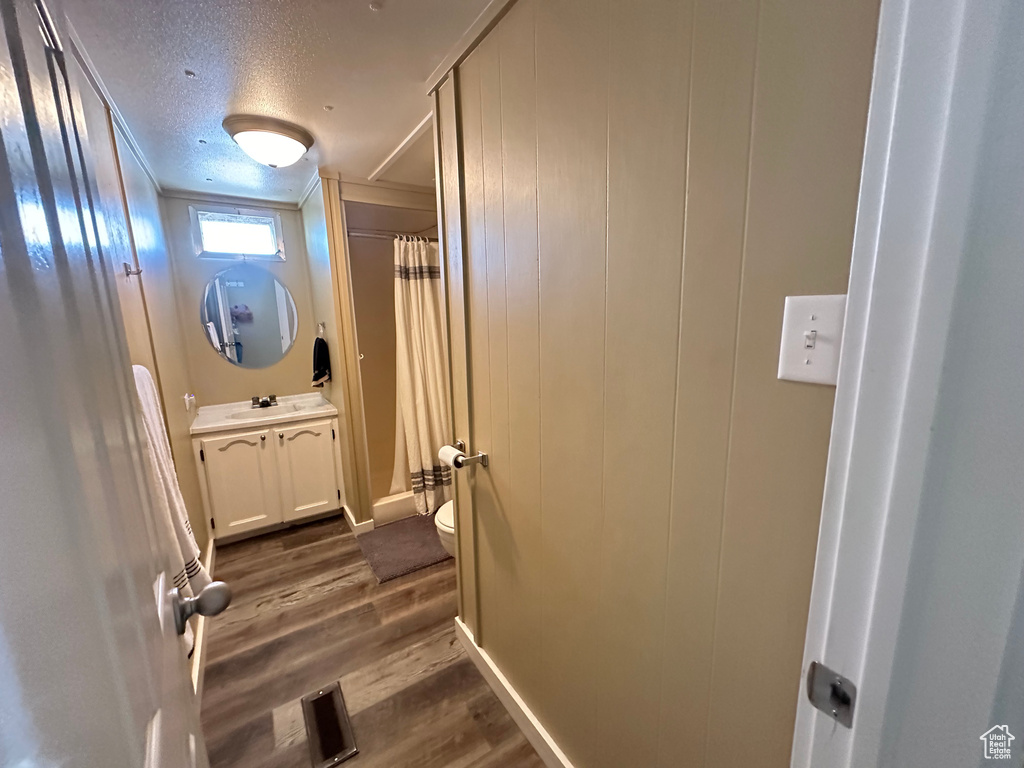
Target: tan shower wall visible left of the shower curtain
{"points": [[372, 264]]}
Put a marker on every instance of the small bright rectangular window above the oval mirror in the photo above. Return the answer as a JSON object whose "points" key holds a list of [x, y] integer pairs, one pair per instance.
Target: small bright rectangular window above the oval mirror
{"points": [[237, 234]]}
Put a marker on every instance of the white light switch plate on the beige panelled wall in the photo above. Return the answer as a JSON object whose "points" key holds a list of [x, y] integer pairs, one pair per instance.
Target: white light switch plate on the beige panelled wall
{"points": [[813, 336]]}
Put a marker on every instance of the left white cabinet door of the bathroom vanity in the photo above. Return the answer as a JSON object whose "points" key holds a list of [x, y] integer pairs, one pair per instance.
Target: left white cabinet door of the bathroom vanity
{"points": [[243, 482]]}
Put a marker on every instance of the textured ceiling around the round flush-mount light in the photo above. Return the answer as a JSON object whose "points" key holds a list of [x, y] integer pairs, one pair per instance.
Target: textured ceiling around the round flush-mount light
{"points": [[285, 59]]}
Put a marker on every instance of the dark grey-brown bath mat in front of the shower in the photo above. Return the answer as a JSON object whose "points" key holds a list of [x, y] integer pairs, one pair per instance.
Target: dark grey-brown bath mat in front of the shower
{"points": [[401, 548]]}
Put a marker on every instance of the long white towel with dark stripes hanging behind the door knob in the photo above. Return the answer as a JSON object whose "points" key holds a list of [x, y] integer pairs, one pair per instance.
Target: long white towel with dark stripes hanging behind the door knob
{"points": [[170, 516]]}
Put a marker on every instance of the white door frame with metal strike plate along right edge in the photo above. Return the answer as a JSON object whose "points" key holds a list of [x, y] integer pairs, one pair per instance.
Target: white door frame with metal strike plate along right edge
{"points": [[919, 593]]}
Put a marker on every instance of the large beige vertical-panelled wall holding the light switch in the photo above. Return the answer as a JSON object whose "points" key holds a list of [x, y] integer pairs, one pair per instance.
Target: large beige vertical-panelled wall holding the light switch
{"points": [[642, 193]]}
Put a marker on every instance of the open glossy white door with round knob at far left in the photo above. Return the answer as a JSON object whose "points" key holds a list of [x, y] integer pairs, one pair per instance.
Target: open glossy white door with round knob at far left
{"points": [[92, 670]]}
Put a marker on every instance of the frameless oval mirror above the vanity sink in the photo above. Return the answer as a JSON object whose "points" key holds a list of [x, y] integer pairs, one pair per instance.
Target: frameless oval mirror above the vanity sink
{"points": [[249, 317]]}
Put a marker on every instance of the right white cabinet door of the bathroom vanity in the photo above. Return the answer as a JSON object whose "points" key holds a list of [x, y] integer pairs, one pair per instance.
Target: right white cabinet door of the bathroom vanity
{"points": [[306, 466]]}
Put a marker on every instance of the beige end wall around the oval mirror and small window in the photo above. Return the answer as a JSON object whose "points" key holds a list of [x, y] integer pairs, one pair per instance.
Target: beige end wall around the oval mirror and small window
{"points": [[215, 379]]}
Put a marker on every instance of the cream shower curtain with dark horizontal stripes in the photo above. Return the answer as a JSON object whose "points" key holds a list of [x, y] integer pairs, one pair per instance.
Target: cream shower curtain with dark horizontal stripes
{"points": [[422, 411]]}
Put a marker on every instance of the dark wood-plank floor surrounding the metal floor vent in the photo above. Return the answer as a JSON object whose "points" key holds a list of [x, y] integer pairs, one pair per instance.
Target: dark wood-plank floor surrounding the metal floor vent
{"points": [[308, 612]]}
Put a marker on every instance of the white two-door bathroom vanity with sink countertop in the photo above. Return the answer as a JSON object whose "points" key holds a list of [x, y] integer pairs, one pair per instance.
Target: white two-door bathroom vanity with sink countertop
{"points": [[262, 467]]}
